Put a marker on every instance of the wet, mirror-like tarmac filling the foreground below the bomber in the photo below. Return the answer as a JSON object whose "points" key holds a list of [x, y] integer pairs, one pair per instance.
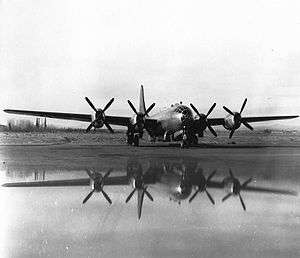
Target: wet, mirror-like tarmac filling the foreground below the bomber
{"points": [[54, 222]]}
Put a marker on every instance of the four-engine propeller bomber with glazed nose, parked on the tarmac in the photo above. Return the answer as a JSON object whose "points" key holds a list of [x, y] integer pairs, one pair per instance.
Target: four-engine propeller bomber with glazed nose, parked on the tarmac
{"points": [[176, 123]]}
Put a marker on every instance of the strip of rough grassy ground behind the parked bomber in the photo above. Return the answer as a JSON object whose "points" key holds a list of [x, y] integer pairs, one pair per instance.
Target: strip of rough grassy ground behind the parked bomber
{"points": [[245, 137]]}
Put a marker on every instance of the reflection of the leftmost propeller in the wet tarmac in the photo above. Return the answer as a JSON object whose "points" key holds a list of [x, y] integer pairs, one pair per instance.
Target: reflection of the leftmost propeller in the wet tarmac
{"points": [[98, 183]]}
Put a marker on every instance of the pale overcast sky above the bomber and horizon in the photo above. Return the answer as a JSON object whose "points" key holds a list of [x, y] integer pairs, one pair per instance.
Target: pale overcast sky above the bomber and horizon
{"points": [[54, 53]]}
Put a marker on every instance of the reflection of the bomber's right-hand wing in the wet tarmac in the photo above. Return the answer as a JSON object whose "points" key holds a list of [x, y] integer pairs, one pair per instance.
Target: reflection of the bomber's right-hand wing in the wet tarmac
{"points": [[220, 185]]}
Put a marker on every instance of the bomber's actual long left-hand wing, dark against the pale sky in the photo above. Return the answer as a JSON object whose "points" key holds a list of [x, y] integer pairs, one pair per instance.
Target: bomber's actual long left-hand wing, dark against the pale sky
{"points": [[114, 120]]}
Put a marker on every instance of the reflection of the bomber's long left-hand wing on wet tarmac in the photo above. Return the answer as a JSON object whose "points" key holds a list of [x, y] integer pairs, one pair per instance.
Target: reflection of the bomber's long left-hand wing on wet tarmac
{"points": [[121, 180]]}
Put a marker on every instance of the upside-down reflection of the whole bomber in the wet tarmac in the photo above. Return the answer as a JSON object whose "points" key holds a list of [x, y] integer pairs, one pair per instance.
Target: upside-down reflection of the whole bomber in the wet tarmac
{"points": [[178, 179]]}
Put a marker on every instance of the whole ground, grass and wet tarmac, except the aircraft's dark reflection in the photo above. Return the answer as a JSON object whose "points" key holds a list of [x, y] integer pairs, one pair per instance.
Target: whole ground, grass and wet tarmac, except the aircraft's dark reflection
{"points": [[52, 222]]}
